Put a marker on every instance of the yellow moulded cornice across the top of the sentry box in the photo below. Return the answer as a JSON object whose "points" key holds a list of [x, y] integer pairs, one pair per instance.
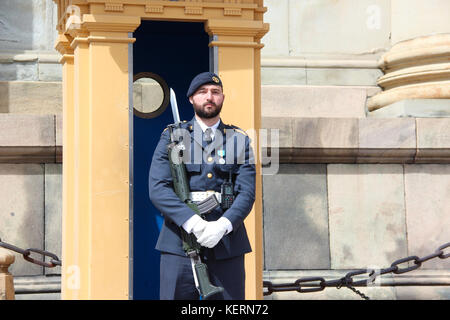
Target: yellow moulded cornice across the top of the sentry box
{"points": [[242, 18]]}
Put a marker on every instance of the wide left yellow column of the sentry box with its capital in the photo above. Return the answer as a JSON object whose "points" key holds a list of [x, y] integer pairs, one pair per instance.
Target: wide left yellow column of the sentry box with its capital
{"points": [[100, 244]]}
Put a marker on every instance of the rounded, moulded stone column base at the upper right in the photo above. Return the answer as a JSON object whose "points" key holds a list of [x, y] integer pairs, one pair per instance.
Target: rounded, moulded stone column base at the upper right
{"points": [[414, 69]]}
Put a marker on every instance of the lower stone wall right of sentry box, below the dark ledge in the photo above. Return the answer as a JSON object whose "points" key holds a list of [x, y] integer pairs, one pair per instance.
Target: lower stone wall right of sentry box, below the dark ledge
{"points": [[339, 217]]}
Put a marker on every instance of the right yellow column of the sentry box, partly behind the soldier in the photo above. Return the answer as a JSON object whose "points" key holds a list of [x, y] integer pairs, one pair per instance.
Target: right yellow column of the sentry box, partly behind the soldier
{"points": [[238, 54]]}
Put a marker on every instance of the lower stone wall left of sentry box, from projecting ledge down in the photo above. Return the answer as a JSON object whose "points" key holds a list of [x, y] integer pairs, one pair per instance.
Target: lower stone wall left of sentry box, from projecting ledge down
{"points": [[31, 196]]}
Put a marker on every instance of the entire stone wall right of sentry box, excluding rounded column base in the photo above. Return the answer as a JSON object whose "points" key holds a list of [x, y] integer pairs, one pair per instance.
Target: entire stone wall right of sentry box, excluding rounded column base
{"points": [[355, 189]]}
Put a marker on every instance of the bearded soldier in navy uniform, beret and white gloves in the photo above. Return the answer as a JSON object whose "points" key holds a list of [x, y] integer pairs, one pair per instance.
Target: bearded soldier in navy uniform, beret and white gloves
{"points": [[221, 232]]}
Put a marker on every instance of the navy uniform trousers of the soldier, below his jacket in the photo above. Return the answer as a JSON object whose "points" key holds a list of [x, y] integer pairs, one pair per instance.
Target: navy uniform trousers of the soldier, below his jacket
{"points": [[177, 280]]}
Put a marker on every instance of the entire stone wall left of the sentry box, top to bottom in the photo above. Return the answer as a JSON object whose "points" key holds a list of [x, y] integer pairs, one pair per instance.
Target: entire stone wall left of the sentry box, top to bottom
{"points": [[31, 140]]}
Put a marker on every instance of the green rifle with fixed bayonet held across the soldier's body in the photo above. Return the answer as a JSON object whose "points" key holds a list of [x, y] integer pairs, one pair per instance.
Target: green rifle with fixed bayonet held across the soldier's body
{"points": [[192, 248]]}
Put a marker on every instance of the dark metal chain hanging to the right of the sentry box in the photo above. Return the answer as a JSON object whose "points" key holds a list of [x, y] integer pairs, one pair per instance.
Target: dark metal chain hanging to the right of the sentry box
{"points": [[316, 284]]}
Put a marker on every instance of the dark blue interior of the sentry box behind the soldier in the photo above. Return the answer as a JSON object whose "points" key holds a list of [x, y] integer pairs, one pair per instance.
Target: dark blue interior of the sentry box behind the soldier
{"points": [[176, 51]]}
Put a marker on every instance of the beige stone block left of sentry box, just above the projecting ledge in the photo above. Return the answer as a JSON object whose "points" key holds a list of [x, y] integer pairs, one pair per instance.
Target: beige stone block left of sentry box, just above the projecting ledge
{"points": [[31, 97]]}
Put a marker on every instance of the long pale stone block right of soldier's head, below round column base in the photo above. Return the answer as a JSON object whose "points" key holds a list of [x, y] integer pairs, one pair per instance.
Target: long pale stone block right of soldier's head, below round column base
{"points": [[315, 101]]}
